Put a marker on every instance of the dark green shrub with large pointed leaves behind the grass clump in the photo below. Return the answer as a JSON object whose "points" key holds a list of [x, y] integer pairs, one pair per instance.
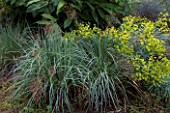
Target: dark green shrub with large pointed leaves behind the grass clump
{"points": [[70, 12]]}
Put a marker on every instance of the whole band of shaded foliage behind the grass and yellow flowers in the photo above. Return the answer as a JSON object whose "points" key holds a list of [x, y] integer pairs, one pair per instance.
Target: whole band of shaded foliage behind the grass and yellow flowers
{"points": [[68, 13]]}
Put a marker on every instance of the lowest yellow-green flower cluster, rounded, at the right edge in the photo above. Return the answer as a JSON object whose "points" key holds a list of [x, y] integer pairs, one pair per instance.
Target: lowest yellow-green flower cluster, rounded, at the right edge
{"points": [[153, 70]]}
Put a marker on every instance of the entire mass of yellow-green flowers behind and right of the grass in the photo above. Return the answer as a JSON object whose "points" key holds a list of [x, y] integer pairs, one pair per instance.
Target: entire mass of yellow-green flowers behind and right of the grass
{"points": [[134, 33]]}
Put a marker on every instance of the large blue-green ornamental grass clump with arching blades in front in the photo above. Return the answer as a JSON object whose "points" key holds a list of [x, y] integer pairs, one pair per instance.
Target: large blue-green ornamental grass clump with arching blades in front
{"points": [[63, 73]]}
